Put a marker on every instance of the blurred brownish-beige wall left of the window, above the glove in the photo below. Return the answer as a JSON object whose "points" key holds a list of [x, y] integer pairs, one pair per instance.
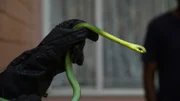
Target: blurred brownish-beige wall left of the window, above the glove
{"points": [[19, 28]]}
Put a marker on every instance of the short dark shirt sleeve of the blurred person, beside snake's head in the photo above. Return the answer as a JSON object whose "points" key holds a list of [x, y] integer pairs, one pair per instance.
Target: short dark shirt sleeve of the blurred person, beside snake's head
{"points": [[150, 43]]}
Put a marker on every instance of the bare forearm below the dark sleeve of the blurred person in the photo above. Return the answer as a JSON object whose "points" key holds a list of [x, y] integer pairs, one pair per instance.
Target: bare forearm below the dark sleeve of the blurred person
{"points": [[148, 78]]}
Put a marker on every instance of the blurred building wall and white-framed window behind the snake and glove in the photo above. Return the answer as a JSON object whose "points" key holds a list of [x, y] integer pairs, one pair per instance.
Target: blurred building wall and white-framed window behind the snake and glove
{"points": [[110, 72]]}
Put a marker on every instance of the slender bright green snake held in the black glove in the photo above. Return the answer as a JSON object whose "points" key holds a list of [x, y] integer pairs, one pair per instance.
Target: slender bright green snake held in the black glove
{"points": [[69, 69]]}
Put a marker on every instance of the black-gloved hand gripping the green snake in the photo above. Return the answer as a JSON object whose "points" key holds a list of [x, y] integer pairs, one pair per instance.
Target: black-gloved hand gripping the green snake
{"points": [[33, 71]]}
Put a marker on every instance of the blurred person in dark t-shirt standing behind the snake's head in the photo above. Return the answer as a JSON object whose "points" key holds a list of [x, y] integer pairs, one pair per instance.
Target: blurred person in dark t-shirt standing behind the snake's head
{"points": [[163, 55]]}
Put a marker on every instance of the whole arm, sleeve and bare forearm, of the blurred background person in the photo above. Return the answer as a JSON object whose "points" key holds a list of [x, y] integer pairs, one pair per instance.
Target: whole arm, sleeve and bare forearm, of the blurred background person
{"points": [[149, 61]]}
